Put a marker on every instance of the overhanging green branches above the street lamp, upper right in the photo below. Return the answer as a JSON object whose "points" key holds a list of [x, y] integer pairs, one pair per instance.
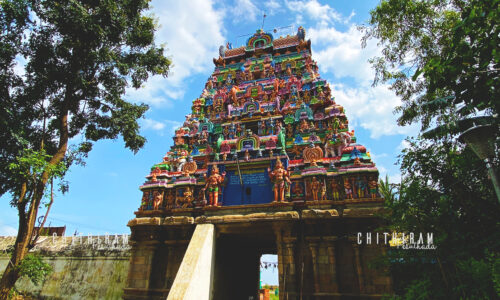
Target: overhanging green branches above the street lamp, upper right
{"points": [[441, 57]]}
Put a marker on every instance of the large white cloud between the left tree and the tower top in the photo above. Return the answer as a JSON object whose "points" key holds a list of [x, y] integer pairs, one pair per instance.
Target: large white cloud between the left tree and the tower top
{"points": [[192, 32]]}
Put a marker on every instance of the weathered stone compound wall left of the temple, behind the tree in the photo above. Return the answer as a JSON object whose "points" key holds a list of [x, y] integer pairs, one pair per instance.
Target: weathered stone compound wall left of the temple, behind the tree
{"points": [[83, 267]]}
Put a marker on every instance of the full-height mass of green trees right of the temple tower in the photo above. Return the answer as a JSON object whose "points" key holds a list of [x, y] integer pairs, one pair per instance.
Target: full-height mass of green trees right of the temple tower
{"points": [[441, 57]]}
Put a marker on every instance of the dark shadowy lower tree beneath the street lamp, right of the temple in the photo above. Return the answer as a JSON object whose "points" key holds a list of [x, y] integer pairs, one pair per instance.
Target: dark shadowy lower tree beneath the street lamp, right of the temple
{"points": [[445, 191]]}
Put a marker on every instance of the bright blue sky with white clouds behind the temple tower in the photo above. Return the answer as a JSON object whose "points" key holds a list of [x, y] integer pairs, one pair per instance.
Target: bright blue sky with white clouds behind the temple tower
{"points": [[104, 194]]}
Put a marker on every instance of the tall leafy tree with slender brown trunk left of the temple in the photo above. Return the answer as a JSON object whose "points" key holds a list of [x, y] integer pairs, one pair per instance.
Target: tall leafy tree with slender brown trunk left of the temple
{"points": [[80, 57]]}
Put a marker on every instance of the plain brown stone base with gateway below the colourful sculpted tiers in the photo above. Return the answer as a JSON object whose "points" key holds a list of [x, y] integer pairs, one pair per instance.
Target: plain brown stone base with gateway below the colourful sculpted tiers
{"points": [[318, 253]]}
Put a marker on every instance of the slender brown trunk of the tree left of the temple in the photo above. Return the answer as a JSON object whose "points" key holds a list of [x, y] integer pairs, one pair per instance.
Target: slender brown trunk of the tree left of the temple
{"points": [[27, 222]]}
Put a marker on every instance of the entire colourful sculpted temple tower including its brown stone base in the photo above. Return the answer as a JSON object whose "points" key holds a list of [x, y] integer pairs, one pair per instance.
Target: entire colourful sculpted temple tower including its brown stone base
{"points": [[267, 159]]}
